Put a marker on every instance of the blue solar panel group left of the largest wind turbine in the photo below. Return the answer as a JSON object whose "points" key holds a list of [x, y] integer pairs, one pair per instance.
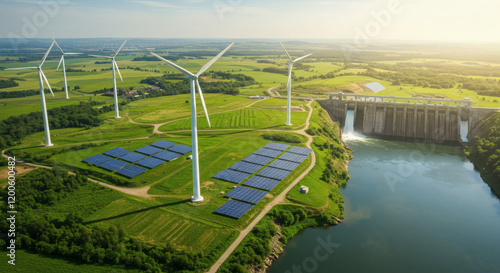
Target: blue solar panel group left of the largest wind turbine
{"points": [[124, 162]]}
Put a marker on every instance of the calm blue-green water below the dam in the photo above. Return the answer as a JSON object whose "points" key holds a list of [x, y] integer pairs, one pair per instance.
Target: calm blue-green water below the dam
{"points": [[409, 207]]}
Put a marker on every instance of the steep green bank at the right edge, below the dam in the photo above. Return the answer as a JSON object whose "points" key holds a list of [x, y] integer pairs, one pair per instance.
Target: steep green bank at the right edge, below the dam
{"points": [[484, 151]]}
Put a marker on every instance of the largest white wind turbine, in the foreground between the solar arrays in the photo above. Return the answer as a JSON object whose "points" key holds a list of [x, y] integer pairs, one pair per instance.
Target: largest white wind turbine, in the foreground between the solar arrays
{"points": [[196, 198]]}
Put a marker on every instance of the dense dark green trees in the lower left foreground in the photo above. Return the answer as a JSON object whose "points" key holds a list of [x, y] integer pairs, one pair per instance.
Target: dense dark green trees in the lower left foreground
{"points": [[70, 237]]}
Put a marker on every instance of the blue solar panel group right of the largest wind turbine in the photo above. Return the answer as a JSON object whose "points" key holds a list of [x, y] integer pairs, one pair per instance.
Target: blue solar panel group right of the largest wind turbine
{"points": [[266, 179]]}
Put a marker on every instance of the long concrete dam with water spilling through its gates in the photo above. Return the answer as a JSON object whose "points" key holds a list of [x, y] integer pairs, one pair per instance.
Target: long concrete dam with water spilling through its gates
{"points": [[406, 117]]}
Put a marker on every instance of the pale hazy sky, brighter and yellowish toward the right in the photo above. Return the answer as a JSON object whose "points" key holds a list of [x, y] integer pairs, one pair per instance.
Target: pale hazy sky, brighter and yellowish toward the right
{"points": [[359, 21]]}
